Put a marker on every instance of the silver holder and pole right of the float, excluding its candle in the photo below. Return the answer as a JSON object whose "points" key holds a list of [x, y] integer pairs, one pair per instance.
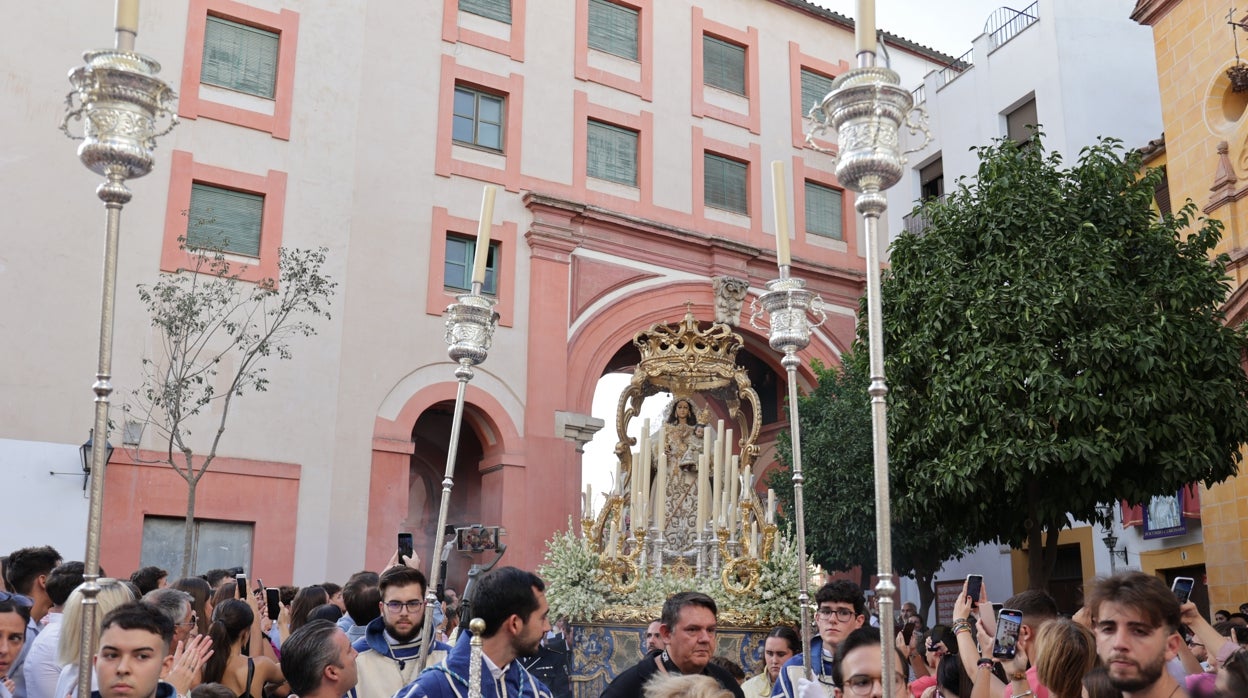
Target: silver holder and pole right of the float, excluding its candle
{"points": [[789, 307]]}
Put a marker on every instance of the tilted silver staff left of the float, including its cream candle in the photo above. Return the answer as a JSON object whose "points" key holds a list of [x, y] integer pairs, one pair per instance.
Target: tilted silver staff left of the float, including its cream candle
{"points": [[470, 332]]}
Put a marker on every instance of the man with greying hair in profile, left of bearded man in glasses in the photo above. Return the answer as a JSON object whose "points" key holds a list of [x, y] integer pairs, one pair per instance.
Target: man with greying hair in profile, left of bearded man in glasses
{"points": [[319, 661]]}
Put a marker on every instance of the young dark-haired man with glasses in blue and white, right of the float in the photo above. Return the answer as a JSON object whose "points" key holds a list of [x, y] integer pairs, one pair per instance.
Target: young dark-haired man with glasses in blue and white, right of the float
{"points": [[841, 610]]}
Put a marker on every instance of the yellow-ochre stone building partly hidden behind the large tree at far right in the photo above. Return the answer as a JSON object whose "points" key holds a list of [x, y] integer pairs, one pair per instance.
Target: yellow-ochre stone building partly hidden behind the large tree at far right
{"points": [[1206, 158]]}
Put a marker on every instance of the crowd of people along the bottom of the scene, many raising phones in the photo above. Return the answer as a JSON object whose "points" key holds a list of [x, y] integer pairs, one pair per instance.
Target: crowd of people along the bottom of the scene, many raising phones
{"points": [[200, 639]]}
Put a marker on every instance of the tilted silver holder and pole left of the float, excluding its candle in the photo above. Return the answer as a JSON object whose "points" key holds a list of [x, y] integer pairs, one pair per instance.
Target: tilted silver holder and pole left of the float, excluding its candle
{"points": [[471, 327]]}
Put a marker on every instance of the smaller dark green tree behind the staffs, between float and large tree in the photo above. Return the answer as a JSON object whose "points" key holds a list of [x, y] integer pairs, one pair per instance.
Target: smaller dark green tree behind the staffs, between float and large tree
{"points": [[839, 488]]}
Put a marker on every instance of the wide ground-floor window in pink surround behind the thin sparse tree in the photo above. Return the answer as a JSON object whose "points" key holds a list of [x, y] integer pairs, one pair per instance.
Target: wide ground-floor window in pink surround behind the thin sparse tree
{"points": [[215, 544]]}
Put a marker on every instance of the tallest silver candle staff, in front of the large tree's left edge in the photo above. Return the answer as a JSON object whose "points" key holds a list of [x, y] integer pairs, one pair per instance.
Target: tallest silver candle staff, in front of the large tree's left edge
{"points": [[867, 109]]}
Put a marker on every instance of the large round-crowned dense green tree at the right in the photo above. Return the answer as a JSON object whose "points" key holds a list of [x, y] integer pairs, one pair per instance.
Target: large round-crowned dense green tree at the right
{"points": [[1053, 343]]}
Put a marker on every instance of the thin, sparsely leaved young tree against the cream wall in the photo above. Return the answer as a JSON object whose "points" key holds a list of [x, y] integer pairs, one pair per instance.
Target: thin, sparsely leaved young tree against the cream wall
{"points": [[209, 320]]}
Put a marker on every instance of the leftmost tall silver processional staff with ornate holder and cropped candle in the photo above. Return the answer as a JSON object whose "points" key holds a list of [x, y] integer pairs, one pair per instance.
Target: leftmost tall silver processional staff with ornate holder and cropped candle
{"points": [[119, 101]]}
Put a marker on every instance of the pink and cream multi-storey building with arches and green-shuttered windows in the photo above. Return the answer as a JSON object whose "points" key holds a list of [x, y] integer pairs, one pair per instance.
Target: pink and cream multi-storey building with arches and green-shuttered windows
{"points": [[630, 139]]}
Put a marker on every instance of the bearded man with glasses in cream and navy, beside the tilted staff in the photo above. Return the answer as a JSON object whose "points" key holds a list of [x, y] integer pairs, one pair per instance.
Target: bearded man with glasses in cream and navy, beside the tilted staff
{"points": [[391, 646]]}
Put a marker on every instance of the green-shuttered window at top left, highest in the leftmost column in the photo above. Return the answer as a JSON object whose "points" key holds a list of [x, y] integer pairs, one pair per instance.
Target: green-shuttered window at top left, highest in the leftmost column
{"points": [[240, 58]]}
